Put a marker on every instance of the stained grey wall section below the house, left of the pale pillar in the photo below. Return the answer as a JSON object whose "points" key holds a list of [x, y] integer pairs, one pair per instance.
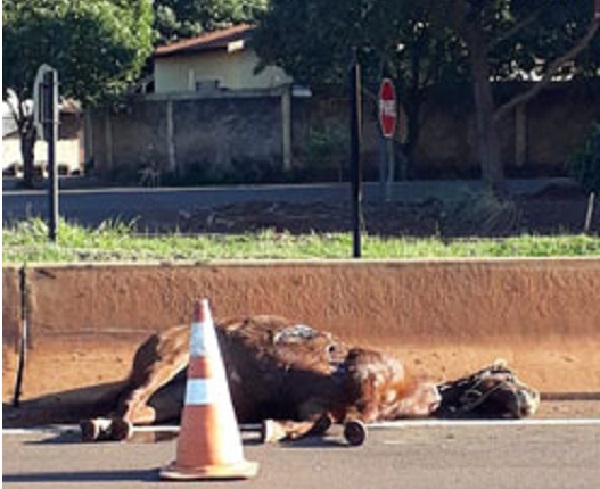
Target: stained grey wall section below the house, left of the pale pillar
{"points": [[199, 138]]}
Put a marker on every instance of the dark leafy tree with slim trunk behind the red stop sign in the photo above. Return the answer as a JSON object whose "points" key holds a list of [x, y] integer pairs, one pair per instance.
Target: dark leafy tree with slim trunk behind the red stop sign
{"points": [[315, 44]]}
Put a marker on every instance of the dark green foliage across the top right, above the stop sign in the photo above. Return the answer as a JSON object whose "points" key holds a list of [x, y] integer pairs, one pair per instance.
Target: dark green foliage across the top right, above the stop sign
{"points": [[421, 38]]}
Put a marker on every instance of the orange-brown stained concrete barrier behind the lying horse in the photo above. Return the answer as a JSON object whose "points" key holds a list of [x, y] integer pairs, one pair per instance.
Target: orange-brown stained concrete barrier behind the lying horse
{"points": [[444, 318]]}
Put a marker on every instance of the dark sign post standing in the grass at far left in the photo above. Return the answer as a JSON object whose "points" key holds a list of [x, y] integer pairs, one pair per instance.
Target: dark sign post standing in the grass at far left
{"points": [[50, 120]]}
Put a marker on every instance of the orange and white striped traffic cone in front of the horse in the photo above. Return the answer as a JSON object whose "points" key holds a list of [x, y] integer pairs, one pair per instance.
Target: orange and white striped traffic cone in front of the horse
{"points": [[209, 444]]}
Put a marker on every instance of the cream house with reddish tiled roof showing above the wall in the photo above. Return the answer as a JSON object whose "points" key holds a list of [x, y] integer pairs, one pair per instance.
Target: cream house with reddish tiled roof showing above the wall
{"points": [[221, 60]]}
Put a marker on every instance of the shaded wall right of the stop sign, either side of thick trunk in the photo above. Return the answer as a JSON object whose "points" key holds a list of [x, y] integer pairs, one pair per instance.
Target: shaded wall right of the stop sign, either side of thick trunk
{"points": [[546, 132]]}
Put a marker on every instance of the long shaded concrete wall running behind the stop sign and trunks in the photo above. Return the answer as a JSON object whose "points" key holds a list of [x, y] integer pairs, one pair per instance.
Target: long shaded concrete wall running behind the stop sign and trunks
{"points": [[244, 132]]}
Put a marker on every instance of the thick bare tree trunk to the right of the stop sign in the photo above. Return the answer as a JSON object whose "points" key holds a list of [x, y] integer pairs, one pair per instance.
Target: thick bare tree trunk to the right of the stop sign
{"points": [[488, 140]]}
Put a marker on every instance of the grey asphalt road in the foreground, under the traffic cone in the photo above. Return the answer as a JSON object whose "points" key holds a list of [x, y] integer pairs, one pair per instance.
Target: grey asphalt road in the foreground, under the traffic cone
{"points": [[503, 455]]}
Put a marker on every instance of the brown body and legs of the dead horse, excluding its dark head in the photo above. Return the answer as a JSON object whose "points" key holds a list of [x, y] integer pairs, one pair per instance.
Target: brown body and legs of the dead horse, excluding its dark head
{"points": [[277, 369]]}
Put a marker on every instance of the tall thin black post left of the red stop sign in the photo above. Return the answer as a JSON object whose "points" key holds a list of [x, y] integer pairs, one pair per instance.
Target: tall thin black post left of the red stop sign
{"points": [[355, 129]]}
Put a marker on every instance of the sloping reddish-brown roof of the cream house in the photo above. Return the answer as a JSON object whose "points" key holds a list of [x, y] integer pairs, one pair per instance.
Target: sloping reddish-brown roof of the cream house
{"points": [[211, 41]]}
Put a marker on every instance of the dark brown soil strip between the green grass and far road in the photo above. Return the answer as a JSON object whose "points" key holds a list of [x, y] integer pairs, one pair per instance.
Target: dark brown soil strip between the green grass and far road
{"points": [[546, 214]]}
